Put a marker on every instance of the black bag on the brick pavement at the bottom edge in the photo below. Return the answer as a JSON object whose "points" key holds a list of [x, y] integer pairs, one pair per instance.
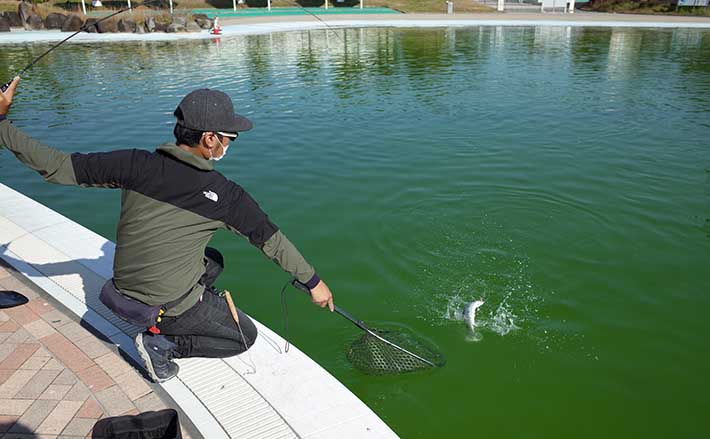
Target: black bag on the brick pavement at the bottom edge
{"points": [[163, 424]]}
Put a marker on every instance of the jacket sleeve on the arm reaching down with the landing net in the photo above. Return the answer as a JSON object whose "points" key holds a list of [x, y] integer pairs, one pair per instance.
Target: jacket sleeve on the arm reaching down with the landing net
{"points": [[247, 219]]}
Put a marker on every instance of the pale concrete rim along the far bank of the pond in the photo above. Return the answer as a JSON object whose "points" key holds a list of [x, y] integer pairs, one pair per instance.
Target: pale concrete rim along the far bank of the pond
{"points": [[262, 25]]}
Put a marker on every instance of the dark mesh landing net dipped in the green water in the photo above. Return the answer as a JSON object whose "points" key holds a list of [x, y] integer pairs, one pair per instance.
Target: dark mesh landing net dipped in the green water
{"points": [[376, 357]]}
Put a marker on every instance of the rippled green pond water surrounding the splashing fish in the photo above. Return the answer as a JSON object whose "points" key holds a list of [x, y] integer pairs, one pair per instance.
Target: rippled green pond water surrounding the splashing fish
{"points": [[562, 174]]}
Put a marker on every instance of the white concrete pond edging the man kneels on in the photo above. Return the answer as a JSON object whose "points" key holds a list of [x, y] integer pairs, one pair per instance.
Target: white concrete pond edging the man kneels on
{"points": [[288, 396]]}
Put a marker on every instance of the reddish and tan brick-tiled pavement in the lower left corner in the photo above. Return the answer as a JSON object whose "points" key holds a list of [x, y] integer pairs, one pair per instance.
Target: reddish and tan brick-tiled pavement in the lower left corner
{"points": [[57, 379]]}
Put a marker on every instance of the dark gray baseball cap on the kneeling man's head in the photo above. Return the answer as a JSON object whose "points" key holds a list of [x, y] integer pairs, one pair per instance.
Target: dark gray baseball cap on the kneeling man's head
{"points": [[210, 110]]}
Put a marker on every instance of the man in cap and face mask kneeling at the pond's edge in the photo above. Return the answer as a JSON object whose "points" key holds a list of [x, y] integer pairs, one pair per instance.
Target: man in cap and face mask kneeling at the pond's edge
{"points": [[172, 203]]}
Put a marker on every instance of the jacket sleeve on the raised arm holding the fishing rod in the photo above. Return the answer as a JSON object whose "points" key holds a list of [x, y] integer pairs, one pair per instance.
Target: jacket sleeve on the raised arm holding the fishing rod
{"points": [[104, 169]]}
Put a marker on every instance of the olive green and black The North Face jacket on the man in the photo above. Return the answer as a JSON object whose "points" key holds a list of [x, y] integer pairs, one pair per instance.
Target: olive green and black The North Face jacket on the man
{"points": [[172, 203]]}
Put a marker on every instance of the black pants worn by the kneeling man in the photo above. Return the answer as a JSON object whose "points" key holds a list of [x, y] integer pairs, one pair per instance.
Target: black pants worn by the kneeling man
{"points": [[208, 328]]}
